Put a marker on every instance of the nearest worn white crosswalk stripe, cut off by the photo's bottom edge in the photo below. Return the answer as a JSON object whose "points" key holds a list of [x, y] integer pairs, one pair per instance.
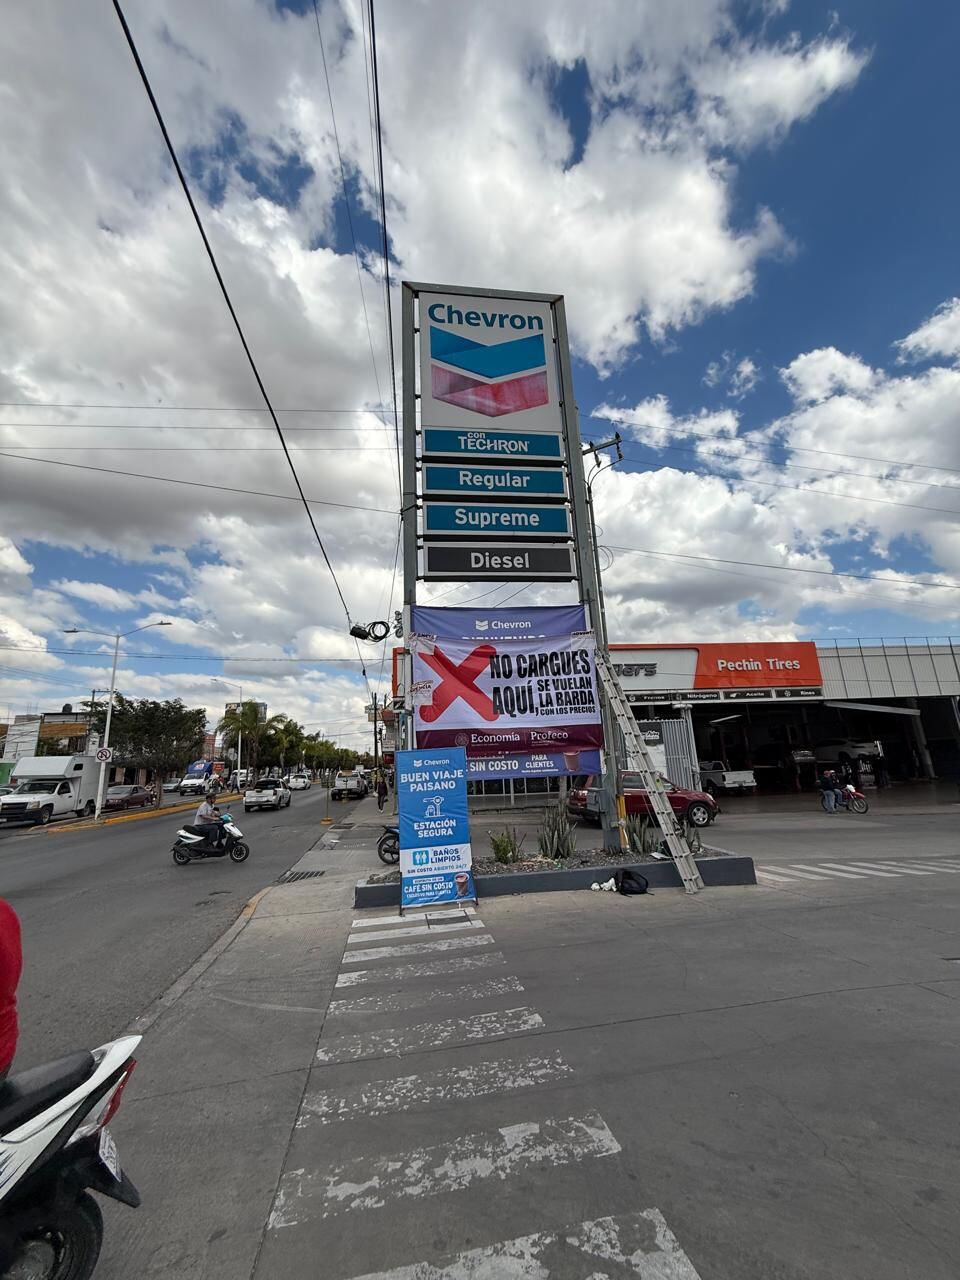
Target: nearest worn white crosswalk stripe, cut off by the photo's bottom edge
{"points": [[636, 1245]]}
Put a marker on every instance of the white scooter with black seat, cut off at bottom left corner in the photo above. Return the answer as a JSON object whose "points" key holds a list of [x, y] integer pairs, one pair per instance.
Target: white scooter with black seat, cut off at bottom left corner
{"points": [[56, 1149]]}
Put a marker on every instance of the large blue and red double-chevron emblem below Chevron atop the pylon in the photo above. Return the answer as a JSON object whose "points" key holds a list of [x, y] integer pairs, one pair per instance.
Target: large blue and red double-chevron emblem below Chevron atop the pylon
{"points": [[496, 380]]}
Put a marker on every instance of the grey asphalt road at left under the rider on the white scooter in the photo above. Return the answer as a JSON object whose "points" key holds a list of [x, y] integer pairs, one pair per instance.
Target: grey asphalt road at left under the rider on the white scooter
{"points": [[109, 922]]}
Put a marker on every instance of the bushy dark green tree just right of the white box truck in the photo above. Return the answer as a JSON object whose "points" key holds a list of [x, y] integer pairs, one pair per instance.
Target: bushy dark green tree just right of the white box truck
{"points": [[158, 737]]}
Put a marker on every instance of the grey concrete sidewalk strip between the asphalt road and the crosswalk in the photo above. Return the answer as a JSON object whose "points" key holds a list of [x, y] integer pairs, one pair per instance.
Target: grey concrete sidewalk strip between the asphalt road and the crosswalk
{"points": [[211, 1112]]}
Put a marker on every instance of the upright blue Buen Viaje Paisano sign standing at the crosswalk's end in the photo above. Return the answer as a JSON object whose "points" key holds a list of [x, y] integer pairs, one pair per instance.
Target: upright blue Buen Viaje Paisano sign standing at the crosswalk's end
{"points": [[435, 828]]}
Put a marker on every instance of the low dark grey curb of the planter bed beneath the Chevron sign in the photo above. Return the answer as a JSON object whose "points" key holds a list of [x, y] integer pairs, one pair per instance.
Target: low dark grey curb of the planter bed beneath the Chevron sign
{"points": [[716, 872]]}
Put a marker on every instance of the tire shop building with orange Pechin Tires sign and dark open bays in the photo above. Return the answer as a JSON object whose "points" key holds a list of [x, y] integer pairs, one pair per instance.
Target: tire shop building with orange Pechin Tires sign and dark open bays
{"points": [[888, 708]]}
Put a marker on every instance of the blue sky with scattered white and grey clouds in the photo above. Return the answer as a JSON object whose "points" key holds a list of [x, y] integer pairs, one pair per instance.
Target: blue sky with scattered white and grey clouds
{"points": [[749, 208]]}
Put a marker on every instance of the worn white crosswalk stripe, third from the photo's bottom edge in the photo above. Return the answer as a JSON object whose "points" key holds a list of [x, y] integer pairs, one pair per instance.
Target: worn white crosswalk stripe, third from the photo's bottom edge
{"points": [[450, 1085]]}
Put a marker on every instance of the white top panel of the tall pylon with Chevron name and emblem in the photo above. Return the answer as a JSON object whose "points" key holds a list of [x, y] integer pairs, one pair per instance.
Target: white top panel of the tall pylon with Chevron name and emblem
{"points": [[487, 358]]}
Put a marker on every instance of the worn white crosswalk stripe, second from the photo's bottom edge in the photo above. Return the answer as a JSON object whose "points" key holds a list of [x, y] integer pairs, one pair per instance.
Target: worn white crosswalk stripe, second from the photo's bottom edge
{"points": [[373, 1182]]}
